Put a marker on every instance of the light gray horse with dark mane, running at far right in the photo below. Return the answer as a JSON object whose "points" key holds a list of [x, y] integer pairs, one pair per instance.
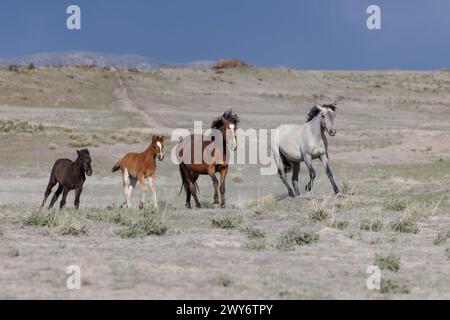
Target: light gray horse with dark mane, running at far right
{"points": [[303, 143]]}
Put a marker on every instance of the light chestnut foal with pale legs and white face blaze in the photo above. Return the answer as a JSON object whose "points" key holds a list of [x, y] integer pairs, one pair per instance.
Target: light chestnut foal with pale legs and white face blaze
{"points": [[140, 166]]}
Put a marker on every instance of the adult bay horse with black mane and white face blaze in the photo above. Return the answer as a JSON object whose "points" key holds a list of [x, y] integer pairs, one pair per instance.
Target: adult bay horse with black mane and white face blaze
{"points": [[207, 155]]}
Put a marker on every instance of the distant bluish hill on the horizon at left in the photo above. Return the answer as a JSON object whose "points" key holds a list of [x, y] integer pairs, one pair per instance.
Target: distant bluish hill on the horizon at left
{"points": [[94, 58]]}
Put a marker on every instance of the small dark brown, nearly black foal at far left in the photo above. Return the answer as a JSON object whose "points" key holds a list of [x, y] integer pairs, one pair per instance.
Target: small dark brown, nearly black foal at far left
{"points": [[70, 175]]}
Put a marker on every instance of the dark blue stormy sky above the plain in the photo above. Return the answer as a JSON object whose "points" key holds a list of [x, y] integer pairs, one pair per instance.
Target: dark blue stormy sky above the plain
{"points": [[306, 34]]}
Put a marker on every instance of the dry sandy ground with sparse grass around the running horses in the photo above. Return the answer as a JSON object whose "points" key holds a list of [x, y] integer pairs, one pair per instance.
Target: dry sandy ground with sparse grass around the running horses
{"points": [[392, 144]]}
